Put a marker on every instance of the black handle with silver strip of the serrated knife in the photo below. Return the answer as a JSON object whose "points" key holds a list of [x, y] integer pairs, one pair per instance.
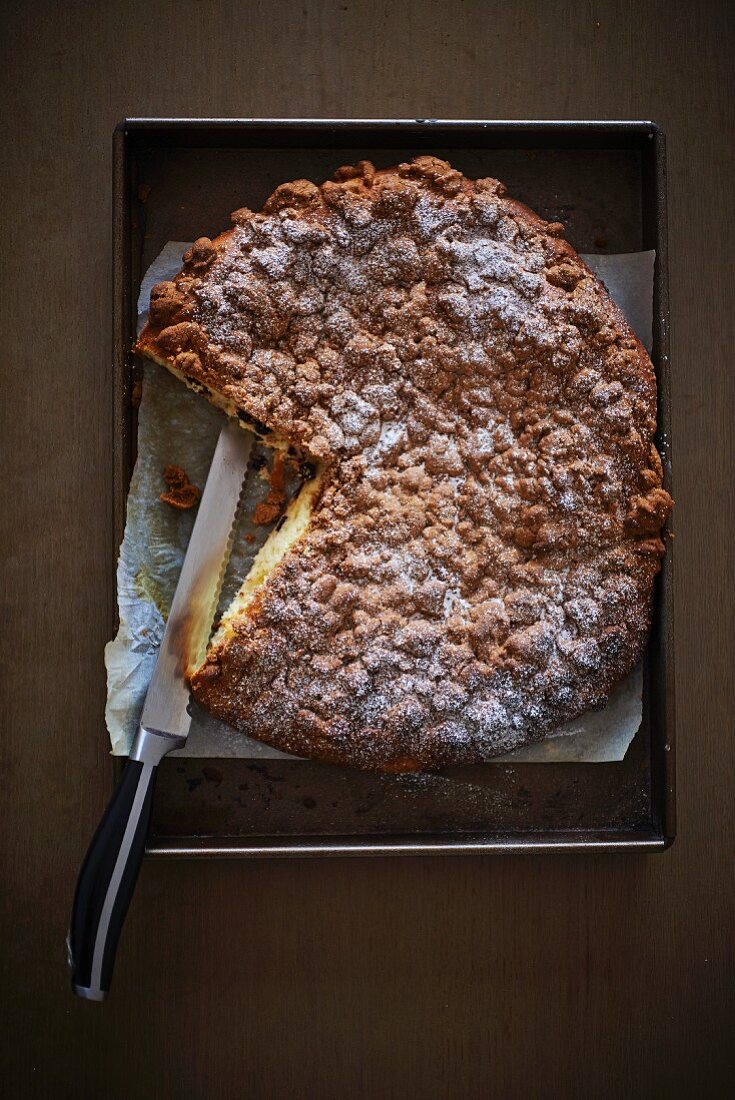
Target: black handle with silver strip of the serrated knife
{"points": [[111, 870]]}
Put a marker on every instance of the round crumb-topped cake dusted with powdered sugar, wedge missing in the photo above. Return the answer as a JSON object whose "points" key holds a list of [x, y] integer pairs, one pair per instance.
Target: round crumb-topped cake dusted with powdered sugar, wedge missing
{"points": [[479, 563]]}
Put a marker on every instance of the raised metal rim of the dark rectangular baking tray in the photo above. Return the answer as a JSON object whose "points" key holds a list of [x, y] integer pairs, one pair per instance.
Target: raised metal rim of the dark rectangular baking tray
{"points": [[122, 313]]}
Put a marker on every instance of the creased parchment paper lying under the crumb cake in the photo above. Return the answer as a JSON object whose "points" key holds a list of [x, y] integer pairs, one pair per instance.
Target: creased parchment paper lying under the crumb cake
{"points": [[177, 426]]}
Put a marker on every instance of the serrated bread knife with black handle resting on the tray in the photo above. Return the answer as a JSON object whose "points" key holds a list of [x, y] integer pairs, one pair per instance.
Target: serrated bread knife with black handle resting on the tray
{"points": [[111, 870]]}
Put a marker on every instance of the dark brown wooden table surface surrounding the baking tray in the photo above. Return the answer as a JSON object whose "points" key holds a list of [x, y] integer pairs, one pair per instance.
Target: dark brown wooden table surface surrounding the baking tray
{"points": [[466, 977]]}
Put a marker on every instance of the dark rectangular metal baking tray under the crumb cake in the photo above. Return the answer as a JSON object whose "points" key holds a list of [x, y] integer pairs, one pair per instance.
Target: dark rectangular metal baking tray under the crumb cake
{"points": [[180, 179]]}
